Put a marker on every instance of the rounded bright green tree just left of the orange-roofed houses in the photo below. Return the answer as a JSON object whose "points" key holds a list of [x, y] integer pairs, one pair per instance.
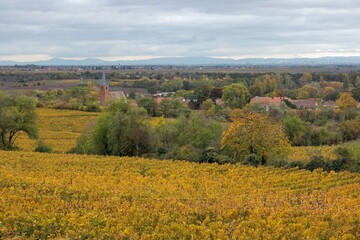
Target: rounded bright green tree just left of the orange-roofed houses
{"points": [[235, 95]]}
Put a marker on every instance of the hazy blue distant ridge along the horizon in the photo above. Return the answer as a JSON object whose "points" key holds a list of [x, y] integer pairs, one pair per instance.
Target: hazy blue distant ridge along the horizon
{"points": [[193, 61]]}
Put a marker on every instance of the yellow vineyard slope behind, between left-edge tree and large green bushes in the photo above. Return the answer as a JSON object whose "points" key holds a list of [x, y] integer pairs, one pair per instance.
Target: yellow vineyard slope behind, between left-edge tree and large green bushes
{"points": [[58, 128]]}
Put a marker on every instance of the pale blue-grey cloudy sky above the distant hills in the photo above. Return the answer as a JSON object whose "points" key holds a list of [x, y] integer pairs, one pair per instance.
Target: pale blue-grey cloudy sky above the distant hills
{"points": [[33, 30]]}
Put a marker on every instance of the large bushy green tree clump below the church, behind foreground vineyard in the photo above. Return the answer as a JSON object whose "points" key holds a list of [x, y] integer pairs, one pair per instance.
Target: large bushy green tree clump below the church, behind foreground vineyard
{"points": [[123, 131]]}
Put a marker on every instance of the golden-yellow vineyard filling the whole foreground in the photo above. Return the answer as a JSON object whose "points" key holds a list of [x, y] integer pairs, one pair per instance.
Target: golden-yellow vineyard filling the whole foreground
{"points": [[77, 197]]}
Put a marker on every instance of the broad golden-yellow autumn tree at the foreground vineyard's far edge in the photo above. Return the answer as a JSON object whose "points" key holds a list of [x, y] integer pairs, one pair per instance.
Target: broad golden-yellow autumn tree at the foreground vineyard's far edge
{"points": [[254, 133]]}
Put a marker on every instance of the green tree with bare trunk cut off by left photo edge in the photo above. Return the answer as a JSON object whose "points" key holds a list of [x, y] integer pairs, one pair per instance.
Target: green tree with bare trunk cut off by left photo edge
{"points": [[17, 114]]}
